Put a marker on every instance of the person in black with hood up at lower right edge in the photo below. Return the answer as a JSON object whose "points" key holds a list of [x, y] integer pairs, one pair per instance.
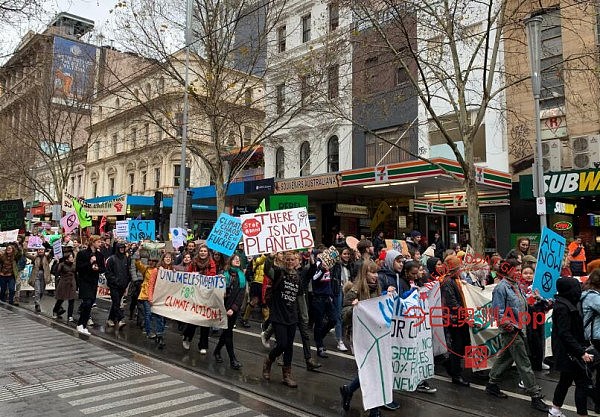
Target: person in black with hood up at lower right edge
{"points": [[568, 348]]}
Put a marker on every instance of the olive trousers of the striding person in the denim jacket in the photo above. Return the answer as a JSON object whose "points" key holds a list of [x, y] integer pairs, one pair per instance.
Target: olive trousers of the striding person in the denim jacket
{"points": [[515, 350]]}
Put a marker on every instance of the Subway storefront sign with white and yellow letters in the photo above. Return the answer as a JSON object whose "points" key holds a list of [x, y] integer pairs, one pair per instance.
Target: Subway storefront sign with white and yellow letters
{"points": [[564, 184]]}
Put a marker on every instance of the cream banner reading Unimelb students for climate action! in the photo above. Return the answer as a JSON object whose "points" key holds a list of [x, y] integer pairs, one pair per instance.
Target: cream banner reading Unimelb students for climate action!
{"points": [[190, 298]]}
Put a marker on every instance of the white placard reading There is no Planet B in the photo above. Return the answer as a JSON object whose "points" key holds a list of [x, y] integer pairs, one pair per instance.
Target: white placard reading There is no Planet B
{"points": [[276, 231]]}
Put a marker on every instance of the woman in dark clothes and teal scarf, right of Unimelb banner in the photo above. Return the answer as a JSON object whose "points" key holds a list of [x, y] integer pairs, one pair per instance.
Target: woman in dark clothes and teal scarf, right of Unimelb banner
{"points": [[234, 297]]}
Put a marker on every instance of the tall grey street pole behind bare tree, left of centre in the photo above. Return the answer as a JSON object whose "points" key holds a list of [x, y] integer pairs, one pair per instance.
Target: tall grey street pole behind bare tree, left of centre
{"points": [[179, 203]]}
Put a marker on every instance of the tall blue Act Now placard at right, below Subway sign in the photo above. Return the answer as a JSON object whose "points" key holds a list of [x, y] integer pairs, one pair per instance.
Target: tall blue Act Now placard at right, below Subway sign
{"points": [[549, 262]]}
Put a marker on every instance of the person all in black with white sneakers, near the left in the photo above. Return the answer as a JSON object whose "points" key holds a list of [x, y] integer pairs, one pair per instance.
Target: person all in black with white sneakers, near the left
{"points": [[89, 264]]}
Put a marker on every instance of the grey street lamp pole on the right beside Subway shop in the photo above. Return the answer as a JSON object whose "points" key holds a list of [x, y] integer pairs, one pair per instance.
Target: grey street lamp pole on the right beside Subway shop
{"points": [[534, 26]]}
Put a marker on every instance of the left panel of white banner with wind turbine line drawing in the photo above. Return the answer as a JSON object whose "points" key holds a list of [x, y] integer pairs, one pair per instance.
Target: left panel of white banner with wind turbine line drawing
{"points": [[372, 346]]}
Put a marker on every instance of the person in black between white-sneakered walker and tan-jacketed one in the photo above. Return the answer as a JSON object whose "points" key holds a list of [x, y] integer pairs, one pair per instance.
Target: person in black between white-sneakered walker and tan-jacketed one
{"points": [[118, 276]]}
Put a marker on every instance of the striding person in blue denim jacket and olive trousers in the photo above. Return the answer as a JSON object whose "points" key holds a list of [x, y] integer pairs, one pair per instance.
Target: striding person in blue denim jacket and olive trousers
{"points": [[510, 303]]}
